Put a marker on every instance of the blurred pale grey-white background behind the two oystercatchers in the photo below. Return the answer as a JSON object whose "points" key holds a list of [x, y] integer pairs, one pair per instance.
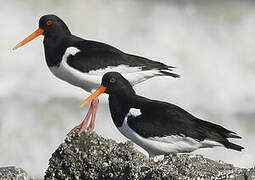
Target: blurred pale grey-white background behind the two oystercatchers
{"points": [[211, 43]]}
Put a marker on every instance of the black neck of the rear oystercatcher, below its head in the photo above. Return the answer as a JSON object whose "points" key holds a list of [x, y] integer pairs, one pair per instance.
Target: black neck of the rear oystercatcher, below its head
{"points": [[54, 49]]}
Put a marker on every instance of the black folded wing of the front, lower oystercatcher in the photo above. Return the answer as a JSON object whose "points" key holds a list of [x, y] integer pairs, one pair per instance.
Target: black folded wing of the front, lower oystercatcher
{"points": [[160, 119]]}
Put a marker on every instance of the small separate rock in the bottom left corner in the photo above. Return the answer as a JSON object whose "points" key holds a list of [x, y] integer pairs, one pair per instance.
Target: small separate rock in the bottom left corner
{"points": [[13, 172]]}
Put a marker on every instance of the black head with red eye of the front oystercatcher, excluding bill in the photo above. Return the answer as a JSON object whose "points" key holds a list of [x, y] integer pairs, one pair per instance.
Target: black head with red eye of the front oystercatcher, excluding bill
{"points": [[115, 83]]}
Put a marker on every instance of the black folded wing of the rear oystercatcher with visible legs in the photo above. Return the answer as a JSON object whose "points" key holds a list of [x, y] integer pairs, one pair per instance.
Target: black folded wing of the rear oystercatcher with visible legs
{"points": [[95, 55]]}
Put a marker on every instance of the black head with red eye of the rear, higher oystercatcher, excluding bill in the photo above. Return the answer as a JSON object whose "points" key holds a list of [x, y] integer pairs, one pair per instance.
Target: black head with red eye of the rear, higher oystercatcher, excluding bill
{"points": [[52, 25]]}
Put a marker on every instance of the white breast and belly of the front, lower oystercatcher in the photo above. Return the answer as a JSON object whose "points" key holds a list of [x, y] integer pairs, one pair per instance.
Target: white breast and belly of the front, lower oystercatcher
{"points": [[164, 145]]}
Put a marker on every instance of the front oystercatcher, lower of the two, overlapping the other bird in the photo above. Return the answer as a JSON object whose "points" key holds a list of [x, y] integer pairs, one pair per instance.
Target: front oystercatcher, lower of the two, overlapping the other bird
{"points": [[158, 127]]}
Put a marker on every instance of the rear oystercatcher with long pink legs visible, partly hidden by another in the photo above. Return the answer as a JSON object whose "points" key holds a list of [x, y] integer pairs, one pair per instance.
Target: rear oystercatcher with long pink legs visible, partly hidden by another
{"points": [[82, 62]]}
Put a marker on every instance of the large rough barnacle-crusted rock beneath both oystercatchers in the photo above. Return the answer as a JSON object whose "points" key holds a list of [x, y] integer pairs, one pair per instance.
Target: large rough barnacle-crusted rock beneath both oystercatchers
{"points": [[89, 156]]}
